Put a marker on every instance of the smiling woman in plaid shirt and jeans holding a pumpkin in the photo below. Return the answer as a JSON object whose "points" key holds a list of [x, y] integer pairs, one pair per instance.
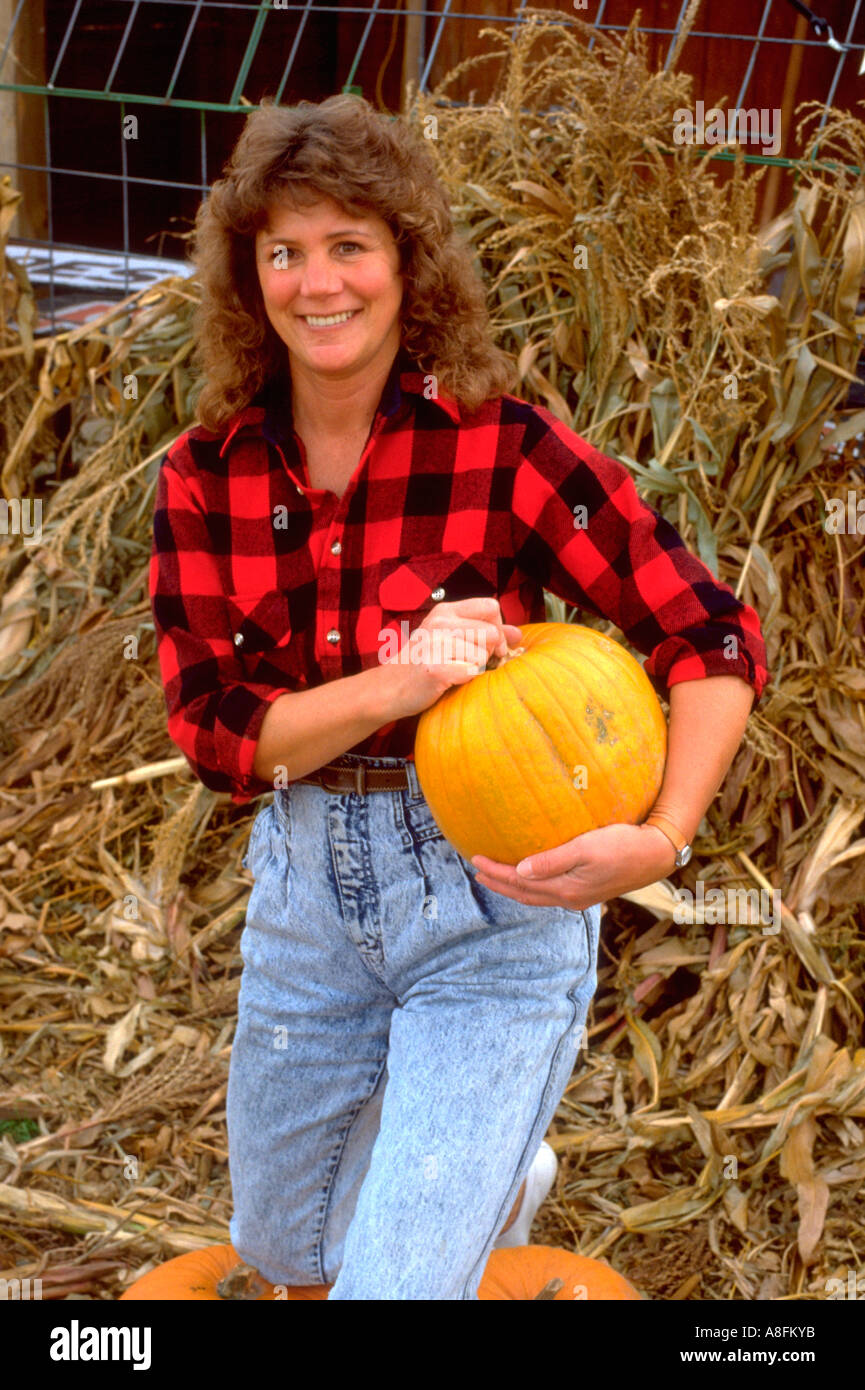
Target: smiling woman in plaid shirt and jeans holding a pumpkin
{"points": [[408, 1021]]}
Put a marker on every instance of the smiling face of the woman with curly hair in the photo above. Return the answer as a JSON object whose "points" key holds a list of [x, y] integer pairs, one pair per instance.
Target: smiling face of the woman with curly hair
{"points": [[315, 268]]}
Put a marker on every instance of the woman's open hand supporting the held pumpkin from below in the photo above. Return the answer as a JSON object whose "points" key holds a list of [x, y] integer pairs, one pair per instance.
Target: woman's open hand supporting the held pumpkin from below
{"points": [[592, 868]]}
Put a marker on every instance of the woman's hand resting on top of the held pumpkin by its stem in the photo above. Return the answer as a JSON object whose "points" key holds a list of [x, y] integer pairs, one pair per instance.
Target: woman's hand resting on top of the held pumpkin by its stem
{"points": [[457, 643]]}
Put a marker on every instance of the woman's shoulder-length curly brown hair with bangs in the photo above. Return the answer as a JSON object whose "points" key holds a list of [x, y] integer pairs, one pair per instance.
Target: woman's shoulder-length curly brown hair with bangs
{"points": [[368, 163]]}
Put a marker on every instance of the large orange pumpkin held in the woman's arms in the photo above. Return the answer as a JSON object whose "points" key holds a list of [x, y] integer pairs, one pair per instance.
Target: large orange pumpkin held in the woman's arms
{"points": [[564, 736]]}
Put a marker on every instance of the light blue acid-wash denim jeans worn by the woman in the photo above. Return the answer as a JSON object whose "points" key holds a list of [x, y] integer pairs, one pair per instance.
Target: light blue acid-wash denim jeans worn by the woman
{"points": [[404, 1039]]}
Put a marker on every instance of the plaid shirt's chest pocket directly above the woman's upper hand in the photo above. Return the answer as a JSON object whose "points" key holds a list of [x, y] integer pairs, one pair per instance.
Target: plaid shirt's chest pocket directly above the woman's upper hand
{"points": [[412, 584]]}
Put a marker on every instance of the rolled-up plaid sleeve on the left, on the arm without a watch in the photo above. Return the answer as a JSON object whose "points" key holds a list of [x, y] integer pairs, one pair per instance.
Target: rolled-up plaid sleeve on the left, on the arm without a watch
{"points": [[215, 717]]}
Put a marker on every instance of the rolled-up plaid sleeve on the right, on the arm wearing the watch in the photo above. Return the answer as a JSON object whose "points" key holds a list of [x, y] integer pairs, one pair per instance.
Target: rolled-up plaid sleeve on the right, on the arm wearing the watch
{"points": [[583, 532]]}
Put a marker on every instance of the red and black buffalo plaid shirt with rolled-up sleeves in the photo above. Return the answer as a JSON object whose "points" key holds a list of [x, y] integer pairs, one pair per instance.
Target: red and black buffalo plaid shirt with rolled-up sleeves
{"points": [[264, 586]]}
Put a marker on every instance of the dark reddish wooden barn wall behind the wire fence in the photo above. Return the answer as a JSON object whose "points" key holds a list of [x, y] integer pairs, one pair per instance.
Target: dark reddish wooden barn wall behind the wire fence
{"points": [[86, 136]]}
